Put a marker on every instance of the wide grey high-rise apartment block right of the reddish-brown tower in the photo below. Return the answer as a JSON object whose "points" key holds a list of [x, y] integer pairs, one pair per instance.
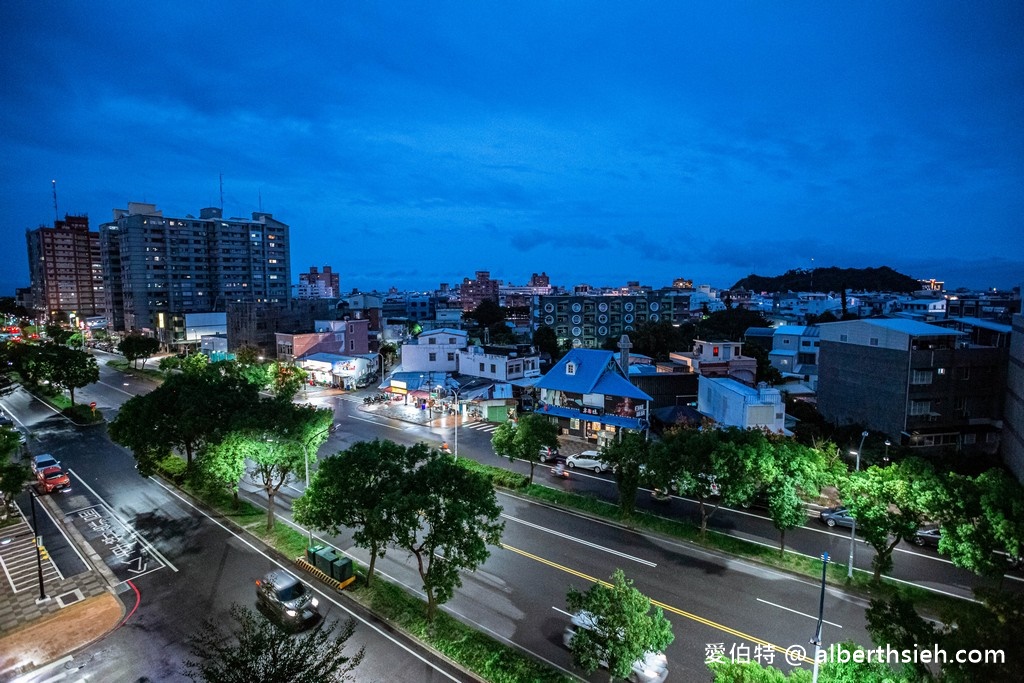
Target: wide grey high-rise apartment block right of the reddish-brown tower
{"points": [[156, 269]]}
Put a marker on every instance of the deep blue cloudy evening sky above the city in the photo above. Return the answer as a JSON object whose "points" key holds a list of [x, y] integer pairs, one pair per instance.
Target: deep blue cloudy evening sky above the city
{"points": [[411, 144]]}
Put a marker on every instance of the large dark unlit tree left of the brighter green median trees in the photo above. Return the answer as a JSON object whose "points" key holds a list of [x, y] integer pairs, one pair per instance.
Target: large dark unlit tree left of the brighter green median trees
{"points": [[185, 413]]}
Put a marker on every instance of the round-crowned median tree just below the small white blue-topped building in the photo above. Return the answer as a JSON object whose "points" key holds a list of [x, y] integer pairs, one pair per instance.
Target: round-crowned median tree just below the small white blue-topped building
{"points": [[715, 466]]}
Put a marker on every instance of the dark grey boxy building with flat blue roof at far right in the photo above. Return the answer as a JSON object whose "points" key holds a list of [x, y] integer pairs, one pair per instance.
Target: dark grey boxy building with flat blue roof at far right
{"points": [[922, 386]]}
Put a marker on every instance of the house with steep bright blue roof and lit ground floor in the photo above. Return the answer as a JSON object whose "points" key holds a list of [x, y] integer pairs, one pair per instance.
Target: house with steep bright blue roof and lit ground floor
{"points": [[591, 398]]}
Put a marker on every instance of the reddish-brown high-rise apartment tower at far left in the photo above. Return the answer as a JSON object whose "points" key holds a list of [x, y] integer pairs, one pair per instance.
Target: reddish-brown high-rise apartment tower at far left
{"points": [[65, 269]]}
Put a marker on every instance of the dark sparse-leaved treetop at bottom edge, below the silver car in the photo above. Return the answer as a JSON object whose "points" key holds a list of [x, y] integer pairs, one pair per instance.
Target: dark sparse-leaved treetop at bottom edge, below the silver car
{"points": [[257, 651]]}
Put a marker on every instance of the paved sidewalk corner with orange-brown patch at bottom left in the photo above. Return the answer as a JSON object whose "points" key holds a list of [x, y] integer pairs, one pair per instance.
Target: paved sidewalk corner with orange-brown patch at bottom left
{"points": [[79, 611]]}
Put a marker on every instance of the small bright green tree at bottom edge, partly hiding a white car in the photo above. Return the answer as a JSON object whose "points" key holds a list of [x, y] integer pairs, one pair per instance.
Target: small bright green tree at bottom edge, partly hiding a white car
{"points": [[623, 627]]}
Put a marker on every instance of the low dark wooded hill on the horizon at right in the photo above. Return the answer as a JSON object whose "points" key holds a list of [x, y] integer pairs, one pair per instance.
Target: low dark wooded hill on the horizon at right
{"points": [[832, 280]]}
